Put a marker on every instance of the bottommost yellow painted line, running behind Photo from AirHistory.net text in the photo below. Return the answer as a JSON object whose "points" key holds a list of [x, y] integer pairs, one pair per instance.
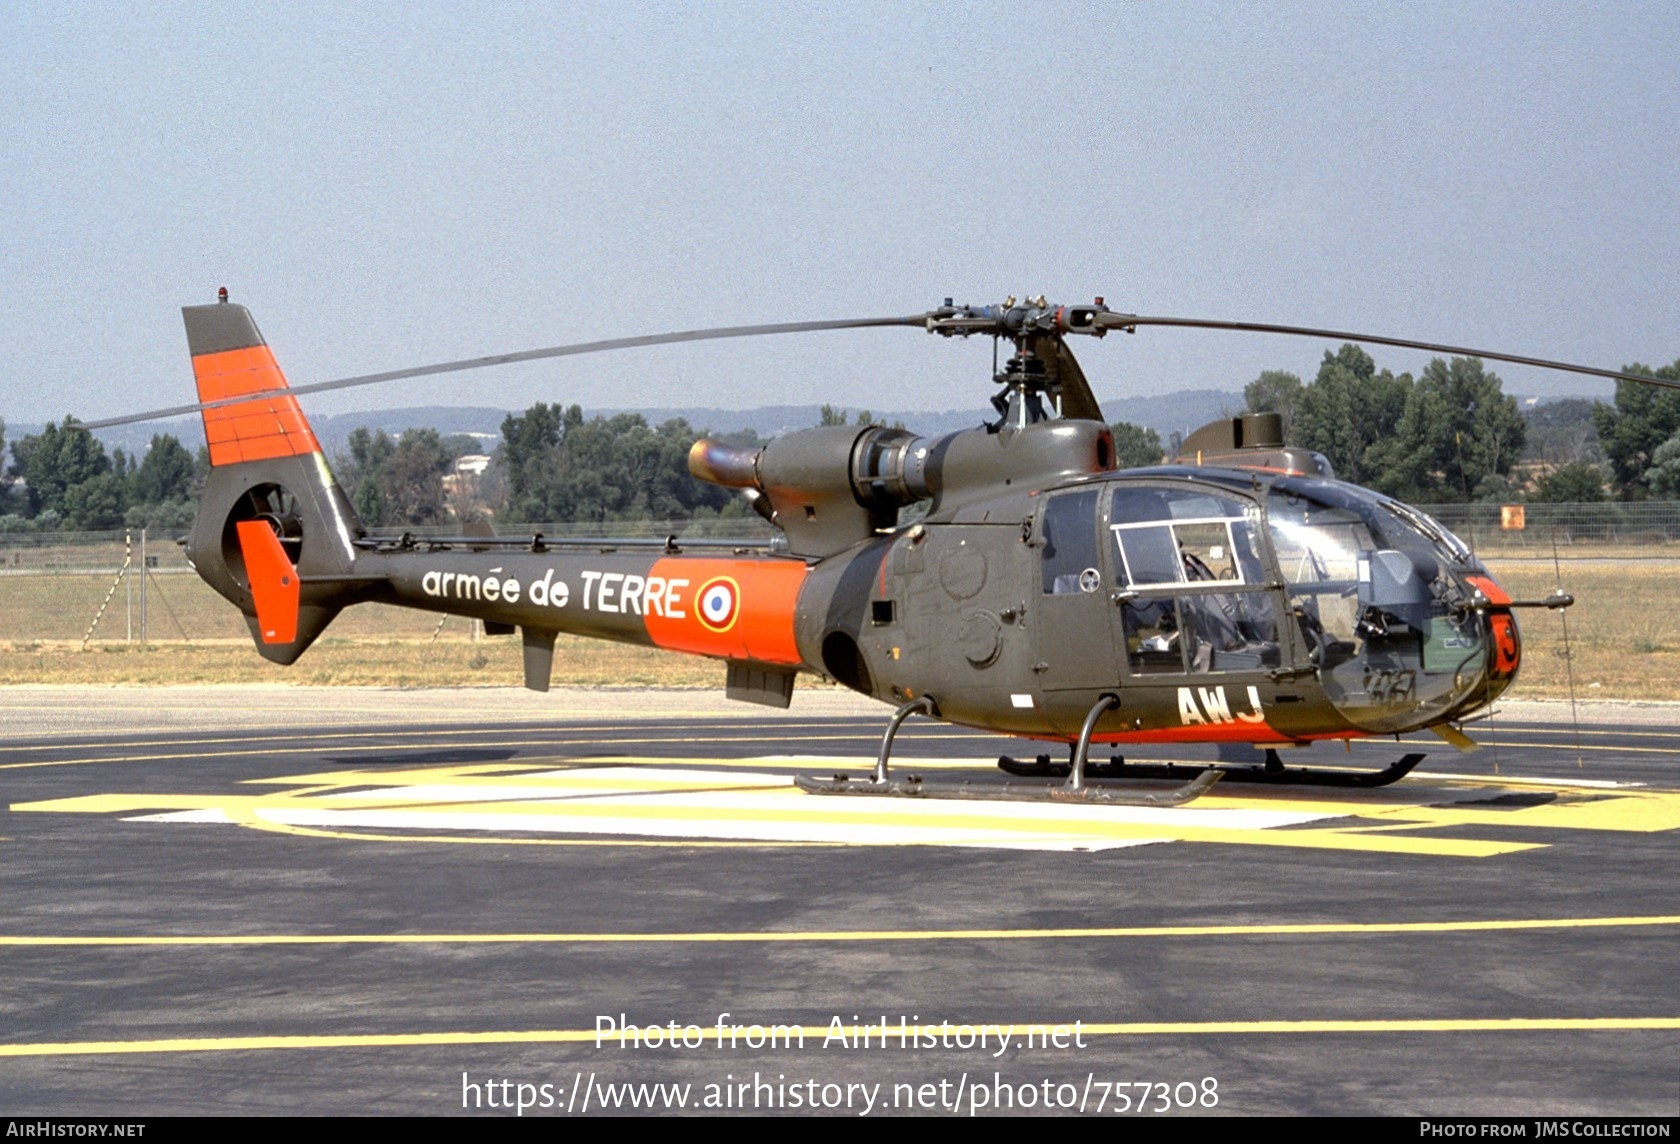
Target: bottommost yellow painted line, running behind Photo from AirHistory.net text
{"points": [[819, 1032]]}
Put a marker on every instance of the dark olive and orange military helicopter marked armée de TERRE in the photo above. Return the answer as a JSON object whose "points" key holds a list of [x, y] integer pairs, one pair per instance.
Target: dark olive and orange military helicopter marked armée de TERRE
{"points": [[1239, 596]]}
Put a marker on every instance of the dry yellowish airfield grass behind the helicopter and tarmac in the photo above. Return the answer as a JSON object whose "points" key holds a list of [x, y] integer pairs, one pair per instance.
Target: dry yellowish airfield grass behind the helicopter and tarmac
{"points": [[1624, 639]]}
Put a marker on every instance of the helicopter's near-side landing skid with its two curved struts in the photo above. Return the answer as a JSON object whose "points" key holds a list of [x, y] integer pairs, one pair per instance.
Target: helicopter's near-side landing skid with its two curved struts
{"points": [[1074, 790]]}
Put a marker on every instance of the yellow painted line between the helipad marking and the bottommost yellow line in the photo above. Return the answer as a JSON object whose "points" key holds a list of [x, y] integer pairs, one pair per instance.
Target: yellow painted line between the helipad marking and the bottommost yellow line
{"points": [[821, 937]]}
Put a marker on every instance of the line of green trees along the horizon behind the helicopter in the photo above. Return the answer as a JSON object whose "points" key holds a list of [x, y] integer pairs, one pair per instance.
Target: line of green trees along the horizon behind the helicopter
{"points": [[1446, 436]]}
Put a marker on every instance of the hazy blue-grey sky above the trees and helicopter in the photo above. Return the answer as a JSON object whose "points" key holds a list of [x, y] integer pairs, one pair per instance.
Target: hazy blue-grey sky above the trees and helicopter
{"points": [[396, 186]]}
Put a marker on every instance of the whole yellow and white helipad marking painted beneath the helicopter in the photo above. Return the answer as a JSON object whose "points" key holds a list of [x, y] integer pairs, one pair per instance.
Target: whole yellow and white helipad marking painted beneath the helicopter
{"points": [[653, 799]]}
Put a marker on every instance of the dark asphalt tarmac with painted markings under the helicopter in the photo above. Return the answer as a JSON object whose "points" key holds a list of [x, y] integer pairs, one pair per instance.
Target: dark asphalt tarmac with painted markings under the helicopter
{"points": [[276, 901]]}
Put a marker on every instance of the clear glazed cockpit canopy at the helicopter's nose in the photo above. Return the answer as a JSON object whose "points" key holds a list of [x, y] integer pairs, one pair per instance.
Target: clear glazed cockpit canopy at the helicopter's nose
{"points": [[1219, 577]]}
